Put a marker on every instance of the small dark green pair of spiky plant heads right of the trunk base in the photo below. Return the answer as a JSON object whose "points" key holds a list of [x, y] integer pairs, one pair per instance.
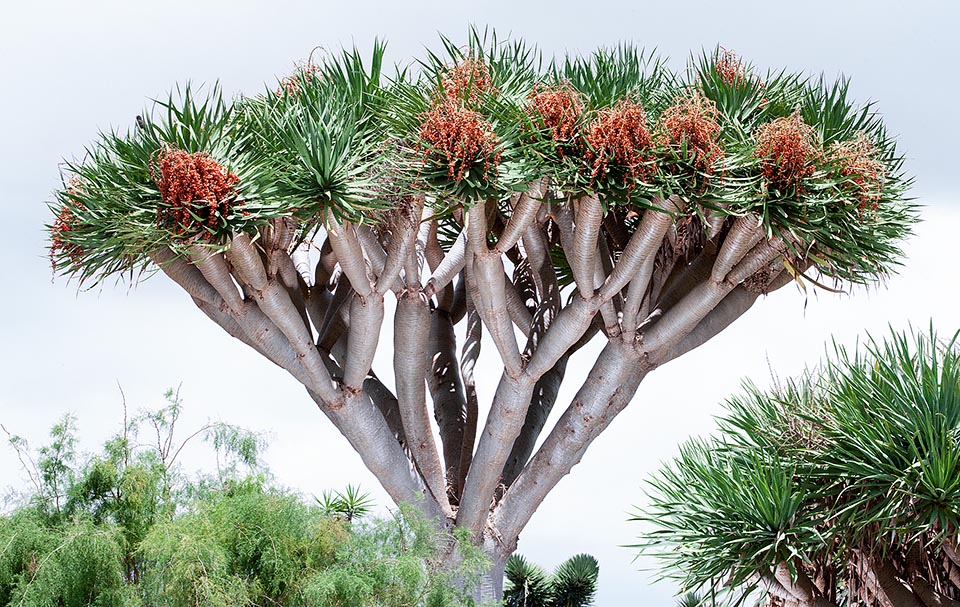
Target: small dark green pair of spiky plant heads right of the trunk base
{"points": [[573, 583]]}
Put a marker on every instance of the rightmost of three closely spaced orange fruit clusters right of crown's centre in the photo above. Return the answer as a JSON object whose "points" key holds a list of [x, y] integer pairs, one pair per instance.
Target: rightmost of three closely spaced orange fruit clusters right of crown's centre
{"points": [[692, 120]]}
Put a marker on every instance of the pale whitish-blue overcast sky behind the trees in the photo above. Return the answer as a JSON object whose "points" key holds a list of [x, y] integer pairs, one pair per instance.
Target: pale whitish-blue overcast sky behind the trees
{"points": [[69, 69]]}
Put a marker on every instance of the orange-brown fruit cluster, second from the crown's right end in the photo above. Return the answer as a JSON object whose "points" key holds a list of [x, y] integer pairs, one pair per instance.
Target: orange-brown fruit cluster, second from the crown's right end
{"points": [[786, 150]]}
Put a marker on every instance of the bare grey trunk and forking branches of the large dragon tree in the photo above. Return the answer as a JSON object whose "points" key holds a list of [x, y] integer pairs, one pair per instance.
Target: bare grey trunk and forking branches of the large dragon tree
{"points": [[328, 343]]}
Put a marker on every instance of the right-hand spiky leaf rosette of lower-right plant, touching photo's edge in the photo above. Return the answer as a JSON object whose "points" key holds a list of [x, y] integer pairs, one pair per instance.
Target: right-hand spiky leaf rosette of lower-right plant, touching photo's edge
{"points": [[892, 455]]}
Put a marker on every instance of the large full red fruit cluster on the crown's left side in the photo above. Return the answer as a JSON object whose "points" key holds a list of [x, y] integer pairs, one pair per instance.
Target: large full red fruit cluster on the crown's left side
{"points": [[195, 190]]}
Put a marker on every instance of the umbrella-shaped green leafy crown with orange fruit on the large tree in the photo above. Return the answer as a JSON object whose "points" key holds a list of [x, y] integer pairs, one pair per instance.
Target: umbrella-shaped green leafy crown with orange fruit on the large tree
{"points": [[483, 121]]}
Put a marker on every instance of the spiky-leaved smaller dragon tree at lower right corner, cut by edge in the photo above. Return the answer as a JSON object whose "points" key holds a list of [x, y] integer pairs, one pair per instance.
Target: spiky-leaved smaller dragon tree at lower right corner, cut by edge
{"points": [[841, 487]]}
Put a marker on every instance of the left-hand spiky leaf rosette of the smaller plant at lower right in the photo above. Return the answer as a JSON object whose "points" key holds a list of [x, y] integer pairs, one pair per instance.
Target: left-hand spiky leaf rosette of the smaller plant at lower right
{"points": [[741, 510]]}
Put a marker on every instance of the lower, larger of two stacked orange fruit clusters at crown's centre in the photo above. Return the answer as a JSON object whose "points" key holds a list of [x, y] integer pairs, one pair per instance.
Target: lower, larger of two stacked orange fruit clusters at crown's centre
{"points": [[458, 138]]}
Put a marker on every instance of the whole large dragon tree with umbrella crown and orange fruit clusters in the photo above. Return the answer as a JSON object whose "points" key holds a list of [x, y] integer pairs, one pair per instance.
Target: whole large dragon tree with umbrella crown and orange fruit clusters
{"points": [[485, 190]]}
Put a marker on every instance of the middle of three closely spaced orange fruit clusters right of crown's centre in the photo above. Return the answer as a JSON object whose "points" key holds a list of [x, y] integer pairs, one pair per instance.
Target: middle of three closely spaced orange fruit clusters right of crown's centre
{"points": [[619, 136]]}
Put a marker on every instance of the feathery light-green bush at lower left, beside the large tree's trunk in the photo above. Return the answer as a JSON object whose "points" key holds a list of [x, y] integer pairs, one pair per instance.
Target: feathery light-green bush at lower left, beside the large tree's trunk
{"points": [[127, 527]]}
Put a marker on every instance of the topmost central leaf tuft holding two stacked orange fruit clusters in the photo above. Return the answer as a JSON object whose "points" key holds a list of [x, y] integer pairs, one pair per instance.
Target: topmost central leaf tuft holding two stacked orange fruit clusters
{"points": [[460, 122]]}
